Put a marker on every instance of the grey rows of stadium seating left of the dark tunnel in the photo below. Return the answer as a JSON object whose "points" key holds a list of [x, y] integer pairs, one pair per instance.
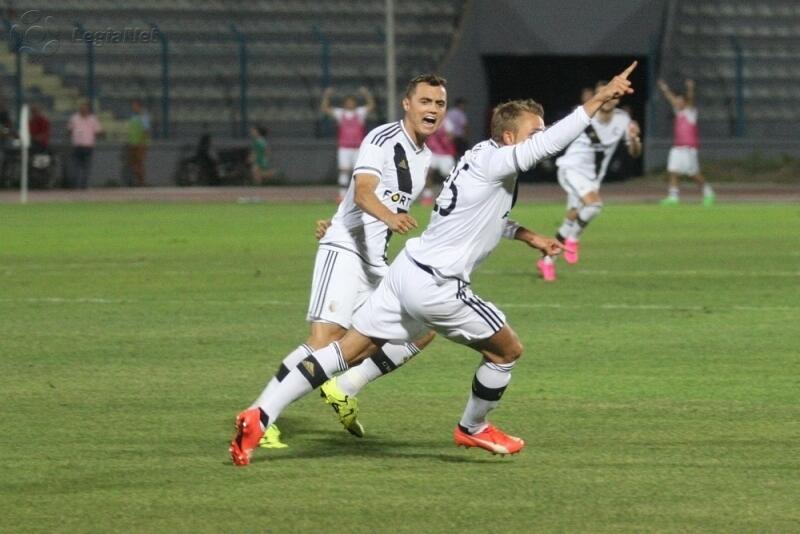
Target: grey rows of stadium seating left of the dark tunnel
{"points": [[284, 46]]}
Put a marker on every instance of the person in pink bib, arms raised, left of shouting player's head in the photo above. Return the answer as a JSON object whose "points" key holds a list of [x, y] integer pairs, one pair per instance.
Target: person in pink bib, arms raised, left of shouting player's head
{"points": [[351, 119]]}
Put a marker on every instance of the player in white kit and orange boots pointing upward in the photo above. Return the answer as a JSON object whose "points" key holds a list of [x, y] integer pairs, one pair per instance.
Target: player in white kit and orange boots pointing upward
{"points": [[427, 286]]}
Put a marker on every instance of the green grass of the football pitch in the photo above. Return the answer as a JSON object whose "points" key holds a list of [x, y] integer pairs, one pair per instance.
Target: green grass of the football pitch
{"points": [[658, 392]]}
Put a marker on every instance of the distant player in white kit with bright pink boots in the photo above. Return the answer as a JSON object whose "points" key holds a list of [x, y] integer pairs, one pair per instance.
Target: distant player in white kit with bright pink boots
{"points": [[581, 171]]}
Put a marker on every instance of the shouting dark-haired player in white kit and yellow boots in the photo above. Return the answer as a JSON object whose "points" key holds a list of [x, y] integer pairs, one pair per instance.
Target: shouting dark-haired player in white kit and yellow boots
{"points": [[389, 174]]}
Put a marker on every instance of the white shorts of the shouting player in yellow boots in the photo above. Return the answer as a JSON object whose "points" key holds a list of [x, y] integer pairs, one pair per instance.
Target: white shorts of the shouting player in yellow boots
{"points": [[341, 283]]}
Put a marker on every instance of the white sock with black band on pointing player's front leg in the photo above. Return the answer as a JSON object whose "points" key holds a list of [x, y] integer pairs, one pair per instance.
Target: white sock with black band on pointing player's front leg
{"points": [[491, 380]]}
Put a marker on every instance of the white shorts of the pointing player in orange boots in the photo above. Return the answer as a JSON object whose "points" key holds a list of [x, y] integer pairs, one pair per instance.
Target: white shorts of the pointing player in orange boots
{"points": [[410, 301]]}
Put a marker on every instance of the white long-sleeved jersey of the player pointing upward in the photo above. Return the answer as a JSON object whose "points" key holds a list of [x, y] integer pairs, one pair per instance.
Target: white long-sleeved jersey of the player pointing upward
{"points": [[472, 210]]}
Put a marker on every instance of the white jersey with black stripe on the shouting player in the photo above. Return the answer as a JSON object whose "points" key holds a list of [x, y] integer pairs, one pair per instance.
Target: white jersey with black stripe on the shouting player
{"points": [[389, 153]]}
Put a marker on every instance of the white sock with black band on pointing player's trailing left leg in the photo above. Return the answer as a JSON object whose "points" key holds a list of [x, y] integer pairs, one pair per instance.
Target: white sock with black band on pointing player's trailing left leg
{"points": [[306, 376]]}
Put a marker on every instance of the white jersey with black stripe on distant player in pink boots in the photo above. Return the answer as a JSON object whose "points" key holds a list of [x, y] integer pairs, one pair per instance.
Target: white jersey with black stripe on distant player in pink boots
{"points": [[591, 152]]}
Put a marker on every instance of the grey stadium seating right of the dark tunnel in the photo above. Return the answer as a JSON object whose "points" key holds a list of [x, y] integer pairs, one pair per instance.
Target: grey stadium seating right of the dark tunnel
{"points": [[701, 45]]}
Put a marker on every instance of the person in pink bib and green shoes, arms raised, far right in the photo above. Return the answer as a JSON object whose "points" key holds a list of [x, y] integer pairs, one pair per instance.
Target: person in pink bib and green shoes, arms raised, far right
{"points": [[682, 159]]}
